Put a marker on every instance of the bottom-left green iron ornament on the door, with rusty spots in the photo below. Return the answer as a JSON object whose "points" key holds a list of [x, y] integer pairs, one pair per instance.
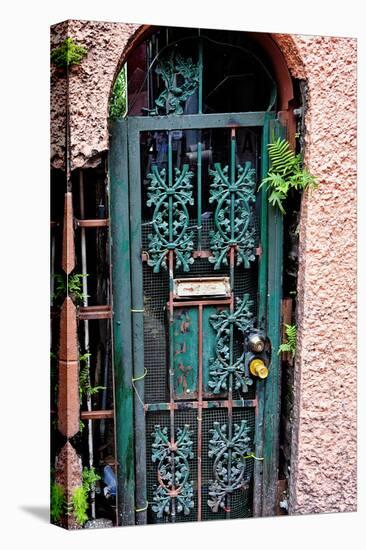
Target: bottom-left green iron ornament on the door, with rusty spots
{"points": [[174, 493]]}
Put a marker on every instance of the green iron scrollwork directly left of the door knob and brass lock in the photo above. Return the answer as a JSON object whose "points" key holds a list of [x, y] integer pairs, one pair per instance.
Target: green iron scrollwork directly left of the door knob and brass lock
{"points": [[224, 364]]}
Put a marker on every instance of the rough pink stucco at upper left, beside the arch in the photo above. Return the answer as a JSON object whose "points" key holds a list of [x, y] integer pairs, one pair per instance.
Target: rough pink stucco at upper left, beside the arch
{"points": [[89, 88]]}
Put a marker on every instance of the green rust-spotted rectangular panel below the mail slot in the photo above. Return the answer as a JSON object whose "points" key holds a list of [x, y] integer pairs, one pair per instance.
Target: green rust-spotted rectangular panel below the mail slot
{"points": [[185, 362]]}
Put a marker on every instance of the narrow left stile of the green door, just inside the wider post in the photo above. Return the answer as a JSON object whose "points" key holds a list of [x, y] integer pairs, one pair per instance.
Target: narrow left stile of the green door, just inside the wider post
{"points": [[137, 308]]}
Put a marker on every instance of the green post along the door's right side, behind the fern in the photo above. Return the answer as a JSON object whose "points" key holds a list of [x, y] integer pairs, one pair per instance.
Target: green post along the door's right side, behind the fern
{"points": [[272, 390]]}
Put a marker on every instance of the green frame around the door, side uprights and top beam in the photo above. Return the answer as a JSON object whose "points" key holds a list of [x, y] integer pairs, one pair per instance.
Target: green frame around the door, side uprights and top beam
{"points": [[127, 300]]}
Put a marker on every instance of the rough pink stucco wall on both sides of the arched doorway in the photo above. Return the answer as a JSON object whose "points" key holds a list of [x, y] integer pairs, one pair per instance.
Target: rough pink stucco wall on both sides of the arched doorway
{"points": [[323, 476]]}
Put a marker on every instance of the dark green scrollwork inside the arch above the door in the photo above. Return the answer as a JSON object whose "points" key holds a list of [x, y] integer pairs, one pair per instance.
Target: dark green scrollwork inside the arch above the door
{"points": [[181, 79]]}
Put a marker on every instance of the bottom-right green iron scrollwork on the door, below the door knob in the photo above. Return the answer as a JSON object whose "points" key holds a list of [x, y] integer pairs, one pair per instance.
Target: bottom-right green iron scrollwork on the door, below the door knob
{"points": [[229, 465]]}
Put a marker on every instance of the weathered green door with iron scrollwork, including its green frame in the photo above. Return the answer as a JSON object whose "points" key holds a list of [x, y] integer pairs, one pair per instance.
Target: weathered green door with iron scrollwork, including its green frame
{"points": [[196, 254]]}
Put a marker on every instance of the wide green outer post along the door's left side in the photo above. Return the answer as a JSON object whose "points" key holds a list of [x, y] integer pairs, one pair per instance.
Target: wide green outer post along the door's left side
{"points": [[122, 355]]}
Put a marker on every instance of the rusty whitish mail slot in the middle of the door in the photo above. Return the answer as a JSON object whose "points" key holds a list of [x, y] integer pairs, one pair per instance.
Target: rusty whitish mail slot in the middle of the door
{"points": [[203, 286]]}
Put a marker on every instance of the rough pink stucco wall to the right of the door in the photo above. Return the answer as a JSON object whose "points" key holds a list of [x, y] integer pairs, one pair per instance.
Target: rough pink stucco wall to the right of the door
{"points": [[324, 443]]}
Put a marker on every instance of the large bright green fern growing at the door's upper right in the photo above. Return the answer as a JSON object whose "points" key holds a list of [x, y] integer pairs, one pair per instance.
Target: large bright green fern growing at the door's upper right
{"points": [[286, 173]]}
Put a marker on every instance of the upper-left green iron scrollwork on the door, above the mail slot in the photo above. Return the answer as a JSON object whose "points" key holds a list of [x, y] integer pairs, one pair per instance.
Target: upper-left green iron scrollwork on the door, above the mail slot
{"points": [[170, 219]]}
